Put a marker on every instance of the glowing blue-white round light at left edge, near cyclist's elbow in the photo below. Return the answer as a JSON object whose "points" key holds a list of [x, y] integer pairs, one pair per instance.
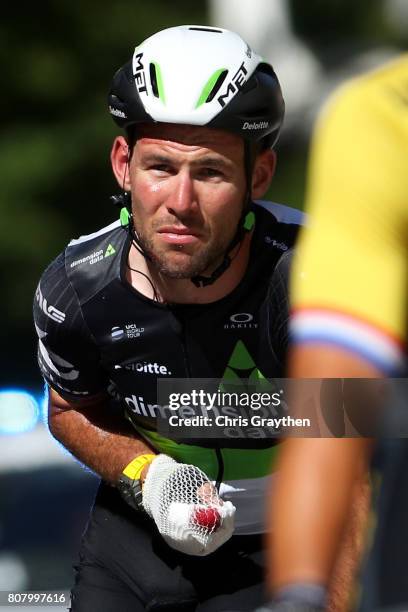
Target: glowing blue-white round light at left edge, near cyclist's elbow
{"points": [[19, 411]]}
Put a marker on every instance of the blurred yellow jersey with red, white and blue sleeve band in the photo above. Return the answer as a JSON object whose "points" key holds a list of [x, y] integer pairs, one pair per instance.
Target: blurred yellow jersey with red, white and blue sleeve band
{"points": [[350, 278]]}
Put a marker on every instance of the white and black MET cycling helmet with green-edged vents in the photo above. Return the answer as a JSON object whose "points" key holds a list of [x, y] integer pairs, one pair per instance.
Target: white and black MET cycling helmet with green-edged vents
{"points": [[199, 75]]}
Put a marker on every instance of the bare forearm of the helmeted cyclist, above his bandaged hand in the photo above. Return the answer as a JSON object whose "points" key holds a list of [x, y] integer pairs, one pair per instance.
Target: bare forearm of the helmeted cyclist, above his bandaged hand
{"points": [[97, 436]]}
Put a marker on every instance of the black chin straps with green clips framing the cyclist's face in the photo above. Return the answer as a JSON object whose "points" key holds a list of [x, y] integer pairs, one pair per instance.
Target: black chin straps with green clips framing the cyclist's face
{"points": [[245, 224]]}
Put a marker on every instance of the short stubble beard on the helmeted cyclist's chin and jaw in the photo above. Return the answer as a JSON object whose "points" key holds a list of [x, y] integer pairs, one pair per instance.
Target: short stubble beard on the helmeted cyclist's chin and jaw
{"points": [[208, 257]]}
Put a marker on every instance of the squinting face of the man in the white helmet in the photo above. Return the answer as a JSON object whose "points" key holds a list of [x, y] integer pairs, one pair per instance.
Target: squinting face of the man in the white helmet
{"points": [[188, 187]]}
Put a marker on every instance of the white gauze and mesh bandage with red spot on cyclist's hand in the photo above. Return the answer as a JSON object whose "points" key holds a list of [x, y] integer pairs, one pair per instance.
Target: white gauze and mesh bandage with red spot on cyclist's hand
{"points": [[186, 508]]}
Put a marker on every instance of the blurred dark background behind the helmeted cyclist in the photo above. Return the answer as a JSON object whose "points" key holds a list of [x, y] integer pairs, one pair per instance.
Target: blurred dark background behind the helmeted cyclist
{"points": [[58, 58]]}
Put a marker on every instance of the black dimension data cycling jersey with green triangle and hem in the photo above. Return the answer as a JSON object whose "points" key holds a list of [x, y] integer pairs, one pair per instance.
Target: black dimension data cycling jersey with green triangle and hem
{"points": [[97, 333]]}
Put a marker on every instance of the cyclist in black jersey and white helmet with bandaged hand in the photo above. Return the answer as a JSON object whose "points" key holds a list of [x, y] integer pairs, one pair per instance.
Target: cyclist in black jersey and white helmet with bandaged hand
{"points": [[189, 283]]}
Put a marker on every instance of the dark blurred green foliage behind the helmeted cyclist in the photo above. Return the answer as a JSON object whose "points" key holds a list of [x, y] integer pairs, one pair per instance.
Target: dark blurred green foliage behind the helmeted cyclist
{"points": [[58, 58]]}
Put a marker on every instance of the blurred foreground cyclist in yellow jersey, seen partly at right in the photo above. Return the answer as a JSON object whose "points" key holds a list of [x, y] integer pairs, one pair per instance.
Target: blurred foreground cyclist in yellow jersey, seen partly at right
{"points": [[350, 298]]}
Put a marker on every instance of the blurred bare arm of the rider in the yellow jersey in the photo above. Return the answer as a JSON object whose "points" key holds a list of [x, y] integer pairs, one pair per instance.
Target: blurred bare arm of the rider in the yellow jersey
{"points": [[322, 494]]}
